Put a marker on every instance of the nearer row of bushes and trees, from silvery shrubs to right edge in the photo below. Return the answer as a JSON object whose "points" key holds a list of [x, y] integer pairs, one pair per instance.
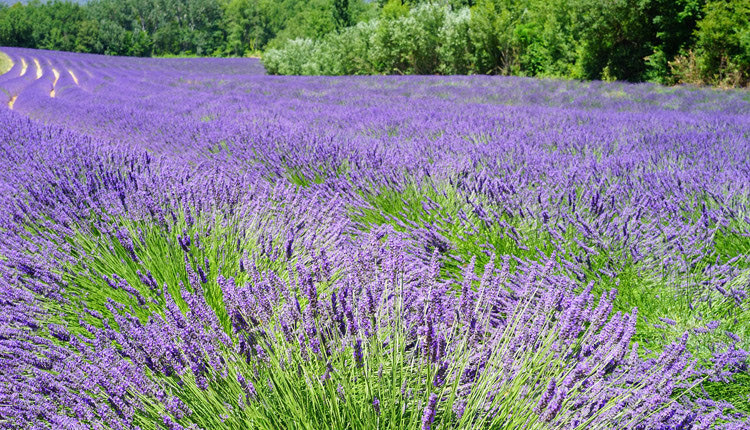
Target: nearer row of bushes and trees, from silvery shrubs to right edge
{"points": [[631, 40]]}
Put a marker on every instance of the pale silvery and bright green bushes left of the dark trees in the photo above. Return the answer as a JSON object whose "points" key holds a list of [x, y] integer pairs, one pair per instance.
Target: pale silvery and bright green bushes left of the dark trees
{"points": [[428, 39]]}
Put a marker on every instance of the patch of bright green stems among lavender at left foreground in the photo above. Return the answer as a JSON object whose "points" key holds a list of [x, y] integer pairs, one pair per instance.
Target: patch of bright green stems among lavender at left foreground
{"points": [[156, 249]]}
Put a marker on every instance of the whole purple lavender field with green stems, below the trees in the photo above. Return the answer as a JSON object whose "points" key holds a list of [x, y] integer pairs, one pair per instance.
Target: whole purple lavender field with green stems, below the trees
{"points": [[189, 243]]}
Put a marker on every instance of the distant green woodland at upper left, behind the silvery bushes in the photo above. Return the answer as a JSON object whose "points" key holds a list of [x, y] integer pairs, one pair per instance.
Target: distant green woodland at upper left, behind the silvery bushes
{"points": [[172, 27]]}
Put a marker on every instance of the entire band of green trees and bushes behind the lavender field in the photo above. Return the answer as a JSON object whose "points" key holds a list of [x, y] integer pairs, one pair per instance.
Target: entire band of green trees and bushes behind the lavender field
{"points": [[665, 41]]}
